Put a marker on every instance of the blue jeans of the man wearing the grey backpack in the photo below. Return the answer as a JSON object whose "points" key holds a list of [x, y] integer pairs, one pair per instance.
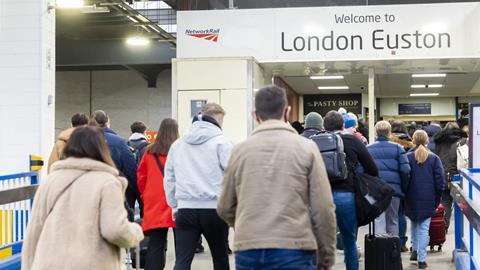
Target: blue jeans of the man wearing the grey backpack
{"points": [[347, 223]]}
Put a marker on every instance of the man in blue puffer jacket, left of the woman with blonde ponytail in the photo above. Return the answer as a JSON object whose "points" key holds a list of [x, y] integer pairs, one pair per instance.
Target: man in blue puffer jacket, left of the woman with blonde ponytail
{"points": [[392, 162]]}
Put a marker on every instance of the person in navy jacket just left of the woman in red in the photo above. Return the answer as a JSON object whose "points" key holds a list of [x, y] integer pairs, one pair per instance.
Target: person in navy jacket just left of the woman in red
{"points": [[122, 157]]}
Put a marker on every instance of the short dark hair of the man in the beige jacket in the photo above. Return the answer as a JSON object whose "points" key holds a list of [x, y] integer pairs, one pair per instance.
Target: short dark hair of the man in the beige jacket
{"points": [[270, 102]]}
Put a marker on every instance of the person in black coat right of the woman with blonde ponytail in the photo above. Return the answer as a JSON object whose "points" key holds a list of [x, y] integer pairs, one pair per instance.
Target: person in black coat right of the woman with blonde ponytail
{"points": [[446, 143]]}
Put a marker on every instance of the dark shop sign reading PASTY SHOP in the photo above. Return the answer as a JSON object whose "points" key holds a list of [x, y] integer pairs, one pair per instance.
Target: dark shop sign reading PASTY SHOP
{"points": [[325, 103]]}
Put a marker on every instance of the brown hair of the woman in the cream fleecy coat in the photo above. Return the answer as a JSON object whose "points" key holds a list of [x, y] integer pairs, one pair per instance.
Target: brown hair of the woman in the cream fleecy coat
{"points": [[88, 142]]}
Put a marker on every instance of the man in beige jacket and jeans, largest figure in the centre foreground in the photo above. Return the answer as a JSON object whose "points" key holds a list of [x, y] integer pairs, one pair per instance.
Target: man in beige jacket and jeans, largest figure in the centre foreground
{"points": [[277, 195]]}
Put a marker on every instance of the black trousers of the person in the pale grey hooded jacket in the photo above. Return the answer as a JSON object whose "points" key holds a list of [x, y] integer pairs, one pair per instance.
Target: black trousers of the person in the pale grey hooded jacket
{"points": [[190, 224]]}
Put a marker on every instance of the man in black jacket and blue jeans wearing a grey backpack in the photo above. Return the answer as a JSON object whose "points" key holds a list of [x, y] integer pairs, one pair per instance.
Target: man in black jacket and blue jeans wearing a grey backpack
{"points": [[344, 192]]}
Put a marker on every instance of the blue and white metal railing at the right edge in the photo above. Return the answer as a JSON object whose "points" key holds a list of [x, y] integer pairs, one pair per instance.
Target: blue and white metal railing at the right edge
{"points": [[465, 191]]}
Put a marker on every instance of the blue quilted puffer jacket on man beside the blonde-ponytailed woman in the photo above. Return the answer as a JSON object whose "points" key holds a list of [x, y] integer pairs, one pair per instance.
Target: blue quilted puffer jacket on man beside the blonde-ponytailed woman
{"points": [[392, 162]]}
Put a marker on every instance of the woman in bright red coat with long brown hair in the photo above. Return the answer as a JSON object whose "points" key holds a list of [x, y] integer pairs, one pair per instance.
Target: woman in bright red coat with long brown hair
{"points": [[157, 216]]}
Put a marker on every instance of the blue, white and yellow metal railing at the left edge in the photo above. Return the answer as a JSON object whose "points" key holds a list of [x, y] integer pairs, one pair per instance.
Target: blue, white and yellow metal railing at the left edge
{"points": [[16, 193]]}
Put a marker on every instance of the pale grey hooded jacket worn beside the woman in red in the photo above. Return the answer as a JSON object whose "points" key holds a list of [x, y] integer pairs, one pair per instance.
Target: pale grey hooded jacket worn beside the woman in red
{"points": [[195, 167]]}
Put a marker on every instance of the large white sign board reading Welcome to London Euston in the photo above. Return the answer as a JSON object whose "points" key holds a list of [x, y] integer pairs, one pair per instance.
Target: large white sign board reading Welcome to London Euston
{"points": [[333, 33]]}
